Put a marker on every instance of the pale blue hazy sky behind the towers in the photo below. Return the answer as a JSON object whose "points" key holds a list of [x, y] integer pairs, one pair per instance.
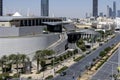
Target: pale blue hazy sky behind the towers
{"points": [[67, 8]]}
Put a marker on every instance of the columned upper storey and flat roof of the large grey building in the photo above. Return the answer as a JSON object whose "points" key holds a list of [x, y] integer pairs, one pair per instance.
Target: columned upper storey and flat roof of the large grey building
{"points": [[20, 21]]}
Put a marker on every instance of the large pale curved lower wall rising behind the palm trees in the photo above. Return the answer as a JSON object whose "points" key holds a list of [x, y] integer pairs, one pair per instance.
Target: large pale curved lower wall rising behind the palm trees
{"points": [[26, 45]]}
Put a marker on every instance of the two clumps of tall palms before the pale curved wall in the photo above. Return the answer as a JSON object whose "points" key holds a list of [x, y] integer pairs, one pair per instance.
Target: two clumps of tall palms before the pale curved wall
{"points": [[8, 61]]}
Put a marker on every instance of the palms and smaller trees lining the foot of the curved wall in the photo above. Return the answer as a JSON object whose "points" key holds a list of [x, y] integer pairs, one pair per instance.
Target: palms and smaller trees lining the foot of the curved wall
{"points": [[15, 61]]}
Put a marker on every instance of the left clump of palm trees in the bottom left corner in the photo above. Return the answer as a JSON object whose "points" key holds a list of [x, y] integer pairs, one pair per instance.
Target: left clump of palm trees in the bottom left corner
{"points": [[7, 62]]}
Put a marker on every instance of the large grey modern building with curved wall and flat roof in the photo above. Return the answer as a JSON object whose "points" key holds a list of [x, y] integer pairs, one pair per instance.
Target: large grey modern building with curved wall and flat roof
{"points": [[26, 34]]}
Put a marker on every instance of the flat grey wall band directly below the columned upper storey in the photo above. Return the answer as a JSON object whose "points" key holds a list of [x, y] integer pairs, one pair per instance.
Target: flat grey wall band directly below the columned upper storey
{"points": [[20, 31]]}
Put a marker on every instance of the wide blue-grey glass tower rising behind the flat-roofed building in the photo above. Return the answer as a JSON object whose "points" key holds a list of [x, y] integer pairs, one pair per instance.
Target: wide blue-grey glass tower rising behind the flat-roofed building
{"points": [[44, 7]]}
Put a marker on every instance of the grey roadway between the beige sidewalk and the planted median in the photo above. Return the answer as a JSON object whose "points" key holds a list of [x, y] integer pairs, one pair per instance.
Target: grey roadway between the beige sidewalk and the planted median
{"points": [[77, 69]]}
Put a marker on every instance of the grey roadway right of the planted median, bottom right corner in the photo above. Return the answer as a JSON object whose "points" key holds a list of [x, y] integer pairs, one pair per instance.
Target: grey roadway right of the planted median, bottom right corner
{"points": [[108, 69]]}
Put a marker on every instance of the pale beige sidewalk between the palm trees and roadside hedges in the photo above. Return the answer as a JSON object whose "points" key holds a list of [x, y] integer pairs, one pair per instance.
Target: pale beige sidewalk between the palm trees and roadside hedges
{"points": [[49, 72]]}
